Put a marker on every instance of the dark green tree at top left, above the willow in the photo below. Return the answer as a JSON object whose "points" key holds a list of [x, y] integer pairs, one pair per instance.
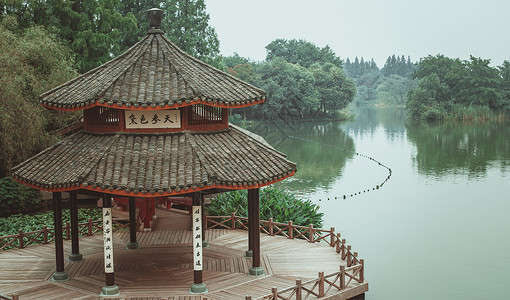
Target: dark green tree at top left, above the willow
{"points": [[93, 29]]}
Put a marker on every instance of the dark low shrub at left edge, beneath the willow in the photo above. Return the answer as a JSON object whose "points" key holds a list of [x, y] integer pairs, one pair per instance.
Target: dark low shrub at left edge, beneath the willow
{"points": [[17, 198]]}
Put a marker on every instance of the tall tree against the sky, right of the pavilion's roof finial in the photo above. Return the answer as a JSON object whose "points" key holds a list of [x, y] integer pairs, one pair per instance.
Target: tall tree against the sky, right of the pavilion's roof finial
{"points": [[186, 24]]}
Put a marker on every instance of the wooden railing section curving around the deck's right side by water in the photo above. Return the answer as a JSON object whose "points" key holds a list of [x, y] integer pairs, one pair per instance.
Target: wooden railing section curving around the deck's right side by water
{"points": [[319, 287]]}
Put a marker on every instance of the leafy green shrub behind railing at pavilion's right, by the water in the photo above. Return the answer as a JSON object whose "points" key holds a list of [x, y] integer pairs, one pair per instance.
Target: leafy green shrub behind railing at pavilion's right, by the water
{"points": [[276, 203]]}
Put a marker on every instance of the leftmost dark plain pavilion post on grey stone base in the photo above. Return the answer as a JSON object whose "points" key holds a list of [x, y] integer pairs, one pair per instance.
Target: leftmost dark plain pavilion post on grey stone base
{"points": [[60, 274]]}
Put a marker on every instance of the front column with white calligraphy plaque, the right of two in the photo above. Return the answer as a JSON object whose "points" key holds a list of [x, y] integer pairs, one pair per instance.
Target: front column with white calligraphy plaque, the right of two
{"points": [[197, 287]]}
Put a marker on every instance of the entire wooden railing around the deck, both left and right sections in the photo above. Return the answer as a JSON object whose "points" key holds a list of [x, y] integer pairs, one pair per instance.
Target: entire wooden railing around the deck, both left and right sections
{"points": [[318, 287]]}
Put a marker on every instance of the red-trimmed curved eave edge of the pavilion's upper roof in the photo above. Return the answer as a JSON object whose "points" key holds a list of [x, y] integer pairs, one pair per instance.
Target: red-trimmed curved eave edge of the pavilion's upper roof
{"points": [[177, 104]]}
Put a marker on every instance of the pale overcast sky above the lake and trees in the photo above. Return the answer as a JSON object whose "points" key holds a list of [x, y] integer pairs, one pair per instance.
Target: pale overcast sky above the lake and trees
{"points": [[367, 28]]}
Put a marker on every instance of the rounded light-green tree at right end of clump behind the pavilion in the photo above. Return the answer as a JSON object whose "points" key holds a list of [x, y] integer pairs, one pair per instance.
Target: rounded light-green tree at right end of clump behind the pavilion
{"points": [[334, 89]]}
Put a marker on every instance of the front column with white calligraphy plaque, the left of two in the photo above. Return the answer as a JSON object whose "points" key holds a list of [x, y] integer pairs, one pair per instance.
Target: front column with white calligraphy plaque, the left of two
{"points": [[110, 289]]}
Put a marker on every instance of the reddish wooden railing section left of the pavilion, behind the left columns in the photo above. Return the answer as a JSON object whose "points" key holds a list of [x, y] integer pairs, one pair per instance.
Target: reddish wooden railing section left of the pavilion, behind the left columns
{"points": [[47, 235]]}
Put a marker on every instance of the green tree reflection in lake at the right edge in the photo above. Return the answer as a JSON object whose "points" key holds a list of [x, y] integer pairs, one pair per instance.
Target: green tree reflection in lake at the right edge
{"points": [[454, 148]]}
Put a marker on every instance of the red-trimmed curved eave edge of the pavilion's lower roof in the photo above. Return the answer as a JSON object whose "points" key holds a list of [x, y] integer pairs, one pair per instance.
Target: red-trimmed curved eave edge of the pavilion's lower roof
{"points": [[146, 194]]}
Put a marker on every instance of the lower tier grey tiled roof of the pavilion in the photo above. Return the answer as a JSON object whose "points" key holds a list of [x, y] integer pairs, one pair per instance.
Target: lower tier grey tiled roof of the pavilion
{"points": [[160, 164]]}
